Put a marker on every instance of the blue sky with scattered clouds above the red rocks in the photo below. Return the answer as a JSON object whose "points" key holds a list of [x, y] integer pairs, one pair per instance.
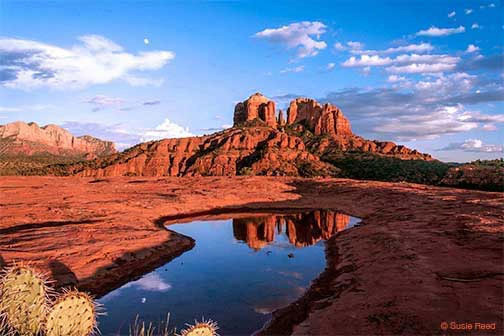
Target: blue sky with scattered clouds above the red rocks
{"points": [[427, 74]]}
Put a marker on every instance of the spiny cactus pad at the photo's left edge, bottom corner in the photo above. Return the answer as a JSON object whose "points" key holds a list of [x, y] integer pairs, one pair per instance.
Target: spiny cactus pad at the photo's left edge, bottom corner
{"points": [[23, 299]]}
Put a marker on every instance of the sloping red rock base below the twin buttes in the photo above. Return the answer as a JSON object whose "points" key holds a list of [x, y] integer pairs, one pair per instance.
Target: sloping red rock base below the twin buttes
{"points": [[252, 150]]}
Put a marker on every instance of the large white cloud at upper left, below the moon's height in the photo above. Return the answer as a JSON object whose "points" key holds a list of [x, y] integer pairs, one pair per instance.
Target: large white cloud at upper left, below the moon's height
{"points": [[94, 60]]}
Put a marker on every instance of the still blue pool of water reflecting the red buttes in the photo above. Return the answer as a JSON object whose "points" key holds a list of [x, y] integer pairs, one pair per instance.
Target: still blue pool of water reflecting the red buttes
{"points": [[239, 271]]}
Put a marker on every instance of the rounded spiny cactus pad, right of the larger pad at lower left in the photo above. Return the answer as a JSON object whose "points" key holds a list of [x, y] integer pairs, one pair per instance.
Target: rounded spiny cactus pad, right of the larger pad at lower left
{"points": [[73, 314]]}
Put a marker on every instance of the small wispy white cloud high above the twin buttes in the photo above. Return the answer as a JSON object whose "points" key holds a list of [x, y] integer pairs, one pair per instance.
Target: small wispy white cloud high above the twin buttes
{"points": [[297, 35]]}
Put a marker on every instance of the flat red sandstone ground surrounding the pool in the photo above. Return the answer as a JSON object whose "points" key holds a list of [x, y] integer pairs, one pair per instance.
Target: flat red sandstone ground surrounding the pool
{"points": [[423, 254]]}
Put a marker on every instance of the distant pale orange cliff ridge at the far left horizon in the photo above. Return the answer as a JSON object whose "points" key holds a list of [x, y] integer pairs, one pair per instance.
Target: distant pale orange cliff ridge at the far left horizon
{"points": [[19, 138]]}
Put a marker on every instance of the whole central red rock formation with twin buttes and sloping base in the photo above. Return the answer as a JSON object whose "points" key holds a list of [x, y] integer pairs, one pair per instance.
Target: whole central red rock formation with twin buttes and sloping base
{"points": [[261, 142]]}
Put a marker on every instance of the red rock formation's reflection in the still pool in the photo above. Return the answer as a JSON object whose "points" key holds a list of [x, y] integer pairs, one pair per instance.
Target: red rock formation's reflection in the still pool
{"points": [[302, 229]]}
